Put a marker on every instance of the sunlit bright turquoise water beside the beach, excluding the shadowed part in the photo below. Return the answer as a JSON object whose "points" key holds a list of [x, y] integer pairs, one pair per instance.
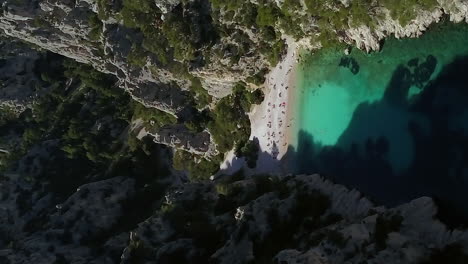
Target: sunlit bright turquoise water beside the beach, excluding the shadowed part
{"points": [[330, 94]]}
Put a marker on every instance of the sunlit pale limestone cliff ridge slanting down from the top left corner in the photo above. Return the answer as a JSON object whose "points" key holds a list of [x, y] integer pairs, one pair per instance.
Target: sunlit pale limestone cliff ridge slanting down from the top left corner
{"points": [[64, 27]]}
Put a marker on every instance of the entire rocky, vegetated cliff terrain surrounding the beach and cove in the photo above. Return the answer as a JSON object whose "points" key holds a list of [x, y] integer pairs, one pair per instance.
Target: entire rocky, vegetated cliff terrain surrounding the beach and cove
{"points": [[85, 193]]}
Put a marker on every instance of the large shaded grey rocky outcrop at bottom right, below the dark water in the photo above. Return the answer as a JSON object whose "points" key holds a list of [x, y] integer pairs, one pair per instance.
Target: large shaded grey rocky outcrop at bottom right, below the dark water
{"points": [[350, 230]]}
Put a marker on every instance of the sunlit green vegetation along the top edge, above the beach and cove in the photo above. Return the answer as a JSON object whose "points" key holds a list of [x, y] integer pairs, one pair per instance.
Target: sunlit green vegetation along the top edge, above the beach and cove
{"points": [[331, 16]]}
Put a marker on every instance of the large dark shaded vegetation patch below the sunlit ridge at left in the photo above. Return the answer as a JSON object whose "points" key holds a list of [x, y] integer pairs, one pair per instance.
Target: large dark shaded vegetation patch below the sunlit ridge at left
{"points": [[88, 119]]}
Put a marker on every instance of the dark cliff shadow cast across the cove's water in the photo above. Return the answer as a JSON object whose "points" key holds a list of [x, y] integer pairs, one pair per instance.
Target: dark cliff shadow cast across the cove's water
{"points": [[398, 149]]}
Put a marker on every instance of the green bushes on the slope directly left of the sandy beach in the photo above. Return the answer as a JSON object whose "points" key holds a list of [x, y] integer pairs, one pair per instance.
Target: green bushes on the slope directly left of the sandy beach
{"points": [[229, 126]]}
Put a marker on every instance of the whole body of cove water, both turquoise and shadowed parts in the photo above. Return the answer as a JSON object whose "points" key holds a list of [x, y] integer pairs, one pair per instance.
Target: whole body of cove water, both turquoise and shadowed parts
{"points": [[394, 123]]}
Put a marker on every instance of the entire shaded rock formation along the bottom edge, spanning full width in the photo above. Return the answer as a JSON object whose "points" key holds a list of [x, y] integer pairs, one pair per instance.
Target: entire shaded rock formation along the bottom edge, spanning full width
{"points": [[296, 219]]}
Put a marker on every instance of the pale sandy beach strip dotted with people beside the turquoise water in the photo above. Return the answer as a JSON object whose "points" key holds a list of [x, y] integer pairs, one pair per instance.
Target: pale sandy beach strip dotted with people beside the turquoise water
{"points": [[270, 121]]}
